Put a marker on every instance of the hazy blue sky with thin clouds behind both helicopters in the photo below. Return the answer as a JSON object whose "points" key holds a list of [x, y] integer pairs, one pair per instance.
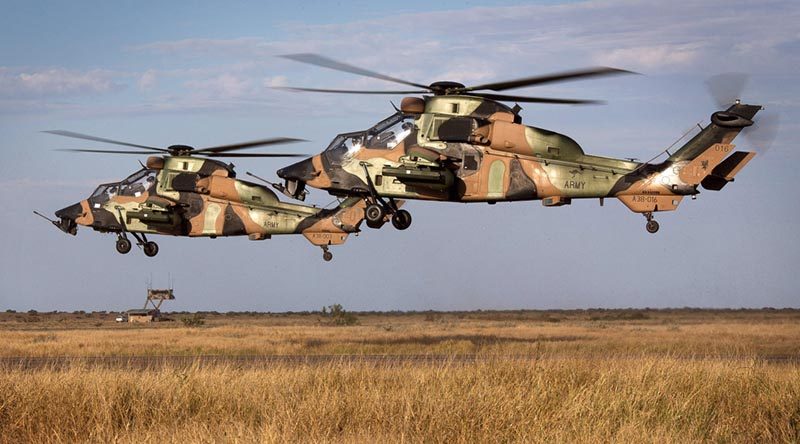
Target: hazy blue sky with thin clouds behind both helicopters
{"points": [[202, 73]]}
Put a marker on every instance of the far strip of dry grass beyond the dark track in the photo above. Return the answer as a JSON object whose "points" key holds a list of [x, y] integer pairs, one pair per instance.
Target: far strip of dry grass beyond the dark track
{"points": [[750, 336]]}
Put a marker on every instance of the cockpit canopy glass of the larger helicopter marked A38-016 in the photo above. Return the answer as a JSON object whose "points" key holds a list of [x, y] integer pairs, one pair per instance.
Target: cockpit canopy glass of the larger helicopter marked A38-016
{"points": [[386, 134]]}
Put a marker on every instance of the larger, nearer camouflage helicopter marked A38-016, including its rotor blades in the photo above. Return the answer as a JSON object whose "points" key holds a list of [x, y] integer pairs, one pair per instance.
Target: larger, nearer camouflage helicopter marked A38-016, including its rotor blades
{"points": [[458, 143]]}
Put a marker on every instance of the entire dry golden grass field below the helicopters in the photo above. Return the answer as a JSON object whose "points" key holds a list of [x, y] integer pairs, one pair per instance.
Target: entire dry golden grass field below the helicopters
{"points": [[598, 375]]}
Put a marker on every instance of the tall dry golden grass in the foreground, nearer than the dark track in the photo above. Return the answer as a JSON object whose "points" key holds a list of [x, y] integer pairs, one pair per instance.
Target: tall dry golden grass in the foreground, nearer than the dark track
{"points": [[562, 401]]}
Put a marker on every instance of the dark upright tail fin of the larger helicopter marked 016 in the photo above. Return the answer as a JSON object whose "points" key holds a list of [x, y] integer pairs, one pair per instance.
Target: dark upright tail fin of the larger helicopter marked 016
{"points": [[724, 127]]}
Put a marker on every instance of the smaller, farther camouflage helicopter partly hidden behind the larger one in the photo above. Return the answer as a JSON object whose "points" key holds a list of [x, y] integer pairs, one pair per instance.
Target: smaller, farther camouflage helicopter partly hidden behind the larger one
{"points": [[180, 194]]}
